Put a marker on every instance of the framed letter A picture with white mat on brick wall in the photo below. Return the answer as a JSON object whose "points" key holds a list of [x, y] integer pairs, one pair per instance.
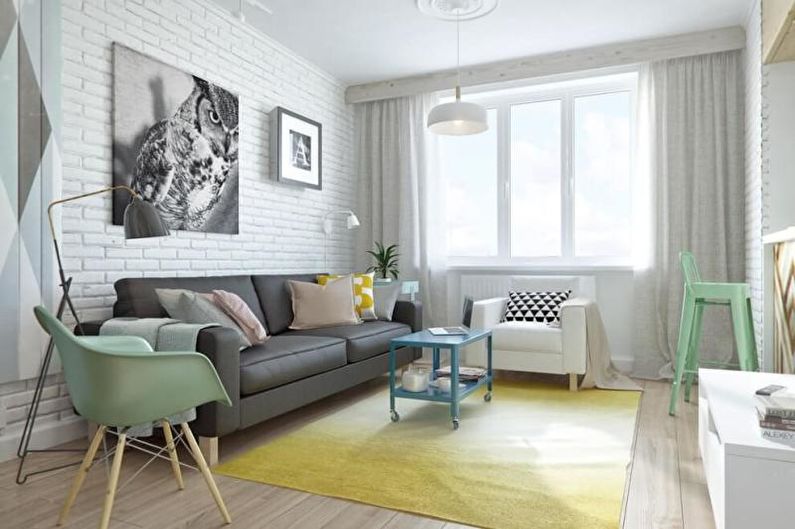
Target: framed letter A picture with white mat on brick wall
{"points": [[296, 149]]}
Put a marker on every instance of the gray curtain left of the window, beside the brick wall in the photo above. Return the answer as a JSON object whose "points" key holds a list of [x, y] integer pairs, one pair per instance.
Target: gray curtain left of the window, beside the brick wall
{"points": [[399, 199]]}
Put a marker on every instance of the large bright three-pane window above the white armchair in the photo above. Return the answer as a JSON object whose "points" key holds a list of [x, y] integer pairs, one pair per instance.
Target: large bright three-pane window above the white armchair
{"points": [[550, 182]]}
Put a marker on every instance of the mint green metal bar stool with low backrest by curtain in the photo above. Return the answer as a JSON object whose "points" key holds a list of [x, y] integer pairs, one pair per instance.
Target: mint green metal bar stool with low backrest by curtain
{"points": [[699, 294]]}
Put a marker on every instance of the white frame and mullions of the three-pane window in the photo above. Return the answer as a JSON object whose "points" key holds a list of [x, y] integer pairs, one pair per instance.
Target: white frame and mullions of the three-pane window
{"points": [[565, 91]]}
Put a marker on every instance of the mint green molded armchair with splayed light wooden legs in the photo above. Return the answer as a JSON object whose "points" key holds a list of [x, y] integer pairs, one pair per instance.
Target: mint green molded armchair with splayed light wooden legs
{"points": [[119, 382]]}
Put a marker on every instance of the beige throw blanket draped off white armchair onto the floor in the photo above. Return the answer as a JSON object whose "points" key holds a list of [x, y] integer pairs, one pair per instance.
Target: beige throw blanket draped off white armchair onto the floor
{"points": [[599, 370]]}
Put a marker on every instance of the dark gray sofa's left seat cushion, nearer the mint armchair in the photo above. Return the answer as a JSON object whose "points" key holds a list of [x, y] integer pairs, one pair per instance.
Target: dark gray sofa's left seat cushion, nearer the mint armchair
{"points": [[284, 359]]}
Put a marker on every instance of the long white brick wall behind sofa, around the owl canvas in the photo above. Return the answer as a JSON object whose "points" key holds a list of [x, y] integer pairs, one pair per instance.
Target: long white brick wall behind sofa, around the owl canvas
{"points": [[280, 226]]}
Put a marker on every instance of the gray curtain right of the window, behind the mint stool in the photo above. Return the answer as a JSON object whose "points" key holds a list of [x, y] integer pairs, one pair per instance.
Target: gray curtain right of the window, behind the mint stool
{"points": [[691, 150]]}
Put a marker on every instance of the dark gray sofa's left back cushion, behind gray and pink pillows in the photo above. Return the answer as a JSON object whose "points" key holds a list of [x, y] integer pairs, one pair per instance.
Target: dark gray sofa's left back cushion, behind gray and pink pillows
{"points": [[136, 296]]}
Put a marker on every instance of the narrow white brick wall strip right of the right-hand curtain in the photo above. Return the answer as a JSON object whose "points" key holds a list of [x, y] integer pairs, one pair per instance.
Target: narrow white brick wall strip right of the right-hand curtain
{"points": [[754, 219]]}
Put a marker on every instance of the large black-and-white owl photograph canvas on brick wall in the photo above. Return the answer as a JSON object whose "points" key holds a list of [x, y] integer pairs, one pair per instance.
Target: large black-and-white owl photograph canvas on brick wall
{"points": [[175, 143]]}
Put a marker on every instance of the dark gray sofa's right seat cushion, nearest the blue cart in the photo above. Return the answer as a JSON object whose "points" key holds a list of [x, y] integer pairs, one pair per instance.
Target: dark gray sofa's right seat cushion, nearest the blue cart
{"points": [[363, 341]]}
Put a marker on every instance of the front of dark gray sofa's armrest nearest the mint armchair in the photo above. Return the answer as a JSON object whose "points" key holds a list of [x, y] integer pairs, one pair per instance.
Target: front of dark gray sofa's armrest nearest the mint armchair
{"points": [[221, 346]]}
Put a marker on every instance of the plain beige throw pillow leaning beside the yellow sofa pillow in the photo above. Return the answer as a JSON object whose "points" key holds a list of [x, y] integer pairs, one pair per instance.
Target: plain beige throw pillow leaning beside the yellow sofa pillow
{"points": [[328, 305]]}
